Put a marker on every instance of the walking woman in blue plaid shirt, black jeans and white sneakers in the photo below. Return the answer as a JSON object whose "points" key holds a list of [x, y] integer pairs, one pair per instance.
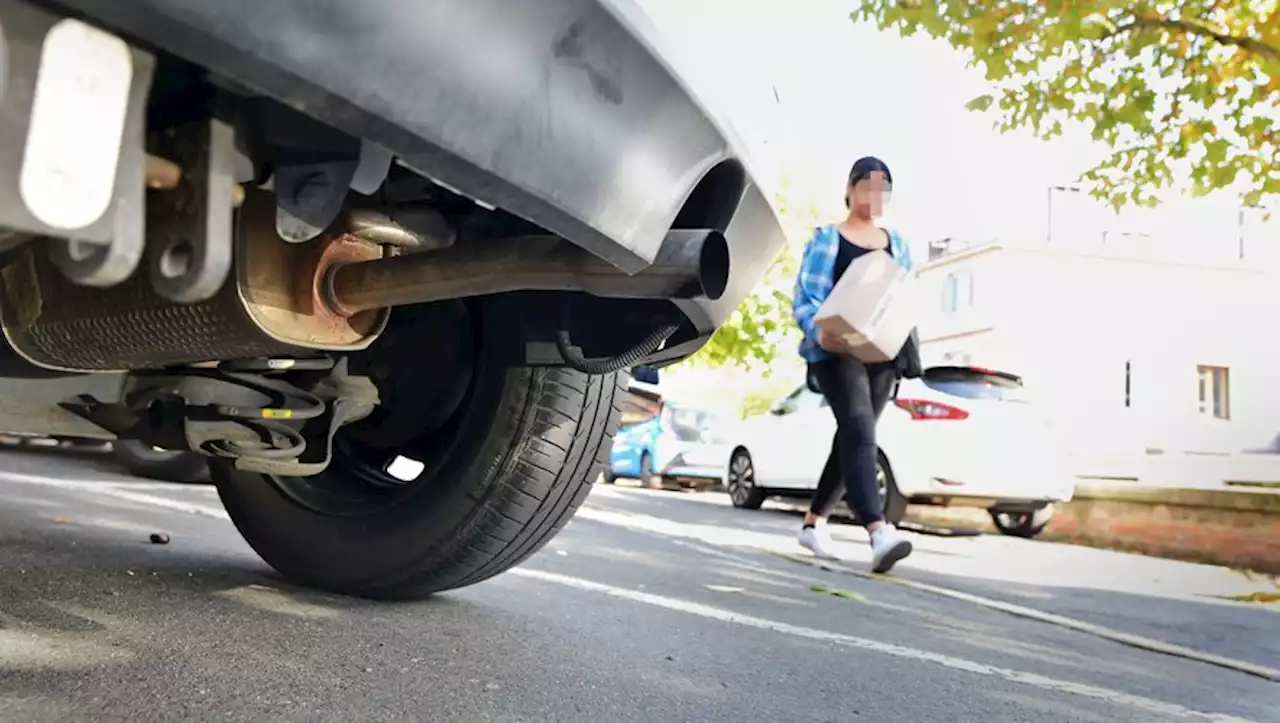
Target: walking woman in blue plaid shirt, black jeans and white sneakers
{"points": [[857, 392]]}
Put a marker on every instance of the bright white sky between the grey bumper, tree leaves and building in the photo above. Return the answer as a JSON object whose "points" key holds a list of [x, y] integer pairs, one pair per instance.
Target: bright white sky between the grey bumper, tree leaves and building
{"points": [[811, 91]]}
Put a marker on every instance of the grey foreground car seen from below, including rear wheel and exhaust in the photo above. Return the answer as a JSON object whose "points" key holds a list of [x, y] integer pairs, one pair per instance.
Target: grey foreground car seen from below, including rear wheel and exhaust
{"points": [[322, 244]]}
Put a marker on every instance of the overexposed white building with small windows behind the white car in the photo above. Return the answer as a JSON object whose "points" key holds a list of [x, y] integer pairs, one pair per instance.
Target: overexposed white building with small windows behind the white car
{"points": [[1133, 347]]}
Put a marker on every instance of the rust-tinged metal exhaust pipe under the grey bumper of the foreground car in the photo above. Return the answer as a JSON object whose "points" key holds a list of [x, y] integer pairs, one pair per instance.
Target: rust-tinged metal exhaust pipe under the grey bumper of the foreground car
{"points": [[691, 264]]}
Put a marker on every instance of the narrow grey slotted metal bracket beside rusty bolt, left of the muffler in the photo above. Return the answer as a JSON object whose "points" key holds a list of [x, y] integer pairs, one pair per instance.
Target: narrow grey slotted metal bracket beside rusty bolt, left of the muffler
{"points": [[193, 225]]}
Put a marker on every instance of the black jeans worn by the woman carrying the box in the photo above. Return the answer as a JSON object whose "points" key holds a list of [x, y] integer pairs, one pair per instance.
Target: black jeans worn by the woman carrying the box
{"points": [[857, 395]]}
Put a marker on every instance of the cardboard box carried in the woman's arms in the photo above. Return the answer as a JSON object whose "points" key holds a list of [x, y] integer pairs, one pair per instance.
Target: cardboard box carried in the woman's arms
{"points": [[872, 308]]}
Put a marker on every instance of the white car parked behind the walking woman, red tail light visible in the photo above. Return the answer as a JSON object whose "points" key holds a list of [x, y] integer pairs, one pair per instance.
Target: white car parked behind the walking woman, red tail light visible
{"points": [[962, 437]]}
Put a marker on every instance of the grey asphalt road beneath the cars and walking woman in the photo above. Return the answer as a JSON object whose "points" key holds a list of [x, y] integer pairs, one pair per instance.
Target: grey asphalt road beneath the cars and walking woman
{"points": [[650, 607]]}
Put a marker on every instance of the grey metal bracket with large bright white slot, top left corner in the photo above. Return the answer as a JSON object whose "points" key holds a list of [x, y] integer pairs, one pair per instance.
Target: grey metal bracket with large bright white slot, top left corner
{"points": [[62, 181]]}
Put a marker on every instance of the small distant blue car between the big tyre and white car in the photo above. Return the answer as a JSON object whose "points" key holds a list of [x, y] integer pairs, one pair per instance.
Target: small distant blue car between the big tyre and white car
{"points": [[675, 445]]}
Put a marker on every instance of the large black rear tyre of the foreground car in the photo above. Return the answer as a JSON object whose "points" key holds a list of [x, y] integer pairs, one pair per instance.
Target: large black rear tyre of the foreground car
{"points": [[506, 473]]}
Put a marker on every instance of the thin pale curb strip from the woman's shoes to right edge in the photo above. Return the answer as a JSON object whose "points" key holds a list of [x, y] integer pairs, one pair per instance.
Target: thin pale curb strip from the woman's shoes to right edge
{"points": [[1060, 621]]}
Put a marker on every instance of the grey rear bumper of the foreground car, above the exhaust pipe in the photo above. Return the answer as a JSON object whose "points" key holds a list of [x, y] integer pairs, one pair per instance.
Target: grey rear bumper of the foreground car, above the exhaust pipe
{"points": [[564, 112]]}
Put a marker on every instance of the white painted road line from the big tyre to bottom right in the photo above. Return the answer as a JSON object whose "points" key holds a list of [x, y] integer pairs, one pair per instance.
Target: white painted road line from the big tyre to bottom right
{"points": [[1035, 680]]}
